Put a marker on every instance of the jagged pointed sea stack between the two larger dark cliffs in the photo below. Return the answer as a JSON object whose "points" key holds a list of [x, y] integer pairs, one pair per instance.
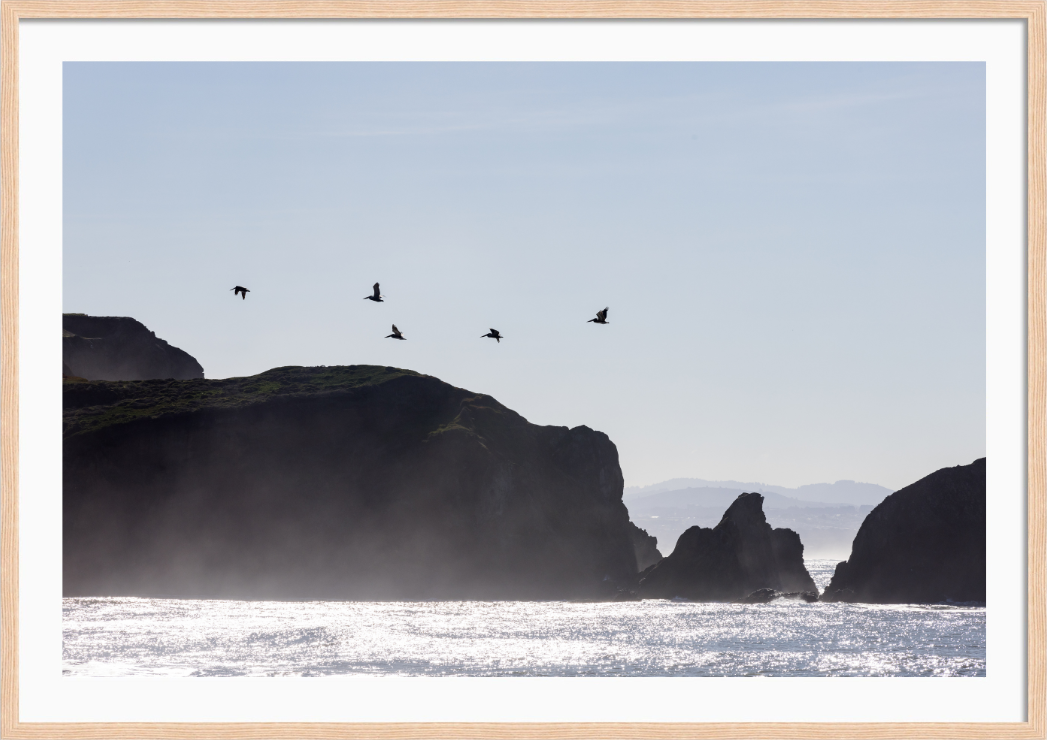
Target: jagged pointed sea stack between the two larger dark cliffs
{"points": [[739, 556]]}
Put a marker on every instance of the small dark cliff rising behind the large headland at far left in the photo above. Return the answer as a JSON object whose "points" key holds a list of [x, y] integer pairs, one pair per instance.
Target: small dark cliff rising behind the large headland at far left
{"points": [[112, 348]]}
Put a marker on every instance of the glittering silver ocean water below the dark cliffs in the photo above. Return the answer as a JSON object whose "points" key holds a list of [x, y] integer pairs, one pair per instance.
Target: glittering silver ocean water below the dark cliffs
{"points": [[124, 637]]}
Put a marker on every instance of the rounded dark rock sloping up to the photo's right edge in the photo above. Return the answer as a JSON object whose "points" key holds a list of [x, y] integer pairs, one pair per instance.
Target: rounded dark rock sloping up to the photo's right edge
{"points": [[924, 544]]}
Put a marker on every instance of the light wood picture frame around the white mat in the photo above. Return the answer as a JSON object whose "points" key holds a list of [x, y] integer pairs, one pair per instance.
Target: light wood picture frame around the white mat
{"points": [[1034, 12]]}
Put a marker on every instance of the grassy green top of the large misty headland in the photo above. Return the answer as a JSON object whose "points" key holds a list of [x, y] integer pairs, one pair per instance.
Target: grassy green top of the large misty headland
{"points": [[93, 406]]}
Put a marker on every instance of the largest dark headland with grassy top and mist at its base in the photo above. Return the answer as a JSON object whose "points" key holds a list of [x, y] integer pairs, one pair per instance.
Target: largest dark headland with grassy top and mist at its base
{"points": [[333, 483]]}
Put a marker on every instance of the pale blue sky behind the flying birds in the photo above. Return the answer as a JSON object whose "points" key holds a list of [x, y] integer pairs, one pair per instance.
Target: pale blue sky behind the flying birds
{"points": [[793, 255]]}
